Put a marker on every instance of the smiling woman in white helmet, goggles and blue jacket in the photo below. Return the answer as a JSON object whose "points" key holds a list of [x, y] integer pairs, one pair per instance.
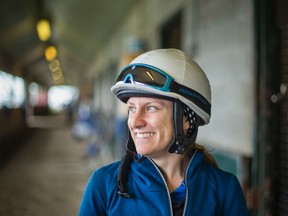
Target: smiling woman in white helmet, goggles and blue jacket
{"points": [[163, 172]]}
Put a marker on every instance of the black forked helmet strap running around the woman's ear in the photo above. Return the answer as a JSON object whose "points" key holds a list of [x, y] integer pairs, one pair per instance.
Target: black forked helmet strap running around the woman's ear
{"points": [[181, 142]]}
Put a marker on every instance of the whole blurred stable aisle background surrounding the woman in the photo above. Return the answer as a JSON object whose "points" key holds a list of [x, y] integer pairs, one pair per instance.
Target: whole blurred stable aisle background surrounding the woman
{"points": [[59, 121]]}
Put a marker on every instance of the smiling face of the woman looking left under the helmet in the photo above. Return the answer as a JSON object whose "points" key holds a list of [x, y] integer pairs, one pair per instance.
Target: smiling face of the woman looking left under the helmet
{"points": [[150, 124]]}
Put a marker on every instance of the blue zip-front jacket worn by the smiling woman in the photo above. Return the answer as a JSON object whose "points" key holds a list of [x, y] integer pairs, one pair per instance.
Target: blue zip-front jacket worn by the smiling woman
{"points": [[210, 191]]}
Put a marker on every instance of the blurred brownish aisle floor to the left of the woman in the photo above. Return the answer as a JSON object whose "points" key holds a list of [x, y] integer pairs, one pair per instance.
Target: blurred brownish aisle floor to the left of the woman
{"points": [[47, 176]]}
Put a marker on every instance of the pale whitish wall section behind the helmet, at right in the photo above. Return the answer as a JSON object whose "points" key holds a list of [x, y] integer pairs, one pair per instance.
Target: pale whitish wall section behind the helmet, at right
{"points": [[226, 54]]}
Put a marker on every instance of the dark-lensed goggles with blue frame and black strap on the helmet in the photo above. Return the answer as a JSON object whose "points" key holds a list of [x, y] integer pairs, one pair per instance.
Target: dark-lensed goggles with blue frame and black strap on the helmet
{"points": [[146, 75]]}
